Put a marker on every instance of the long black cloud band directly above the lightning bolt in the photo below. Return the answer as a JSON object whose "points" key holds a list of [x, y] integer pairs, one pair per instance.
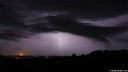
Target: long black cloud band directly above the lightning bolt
{"points": [[66, 24]]}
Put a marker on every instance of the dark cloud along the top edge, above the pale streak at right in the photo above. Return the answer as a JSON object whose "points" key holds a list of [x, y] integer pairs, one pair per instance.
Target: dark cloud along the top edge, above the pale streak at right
{"points": [[87, 9]]}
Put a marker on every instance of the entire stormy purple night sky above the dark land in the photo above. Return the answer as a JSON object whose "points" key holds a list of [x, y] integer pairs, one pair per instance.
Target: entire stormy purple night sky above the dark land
{"points": [[62, 27]]}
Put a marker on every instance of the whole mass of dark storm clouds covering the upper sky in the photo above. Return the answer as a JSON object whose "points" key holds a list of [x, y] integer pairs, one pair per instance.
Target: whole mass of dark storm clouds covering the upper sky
{"points": [[89, 9]]}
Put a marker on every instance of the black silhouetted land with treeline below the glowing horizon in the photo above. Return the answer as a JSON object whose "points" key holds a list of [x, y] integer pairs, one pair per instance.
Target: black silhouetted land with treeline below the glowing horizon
{"points": [[95, 61]]}
